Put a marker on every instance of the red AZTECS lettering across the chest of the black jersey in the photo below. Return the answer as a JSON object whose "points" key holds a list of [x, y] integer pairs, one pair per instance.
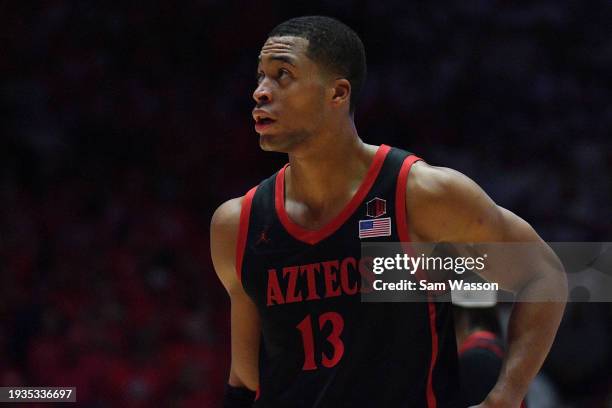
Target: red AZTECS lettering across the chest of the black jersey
{"points": [[317, 281]]}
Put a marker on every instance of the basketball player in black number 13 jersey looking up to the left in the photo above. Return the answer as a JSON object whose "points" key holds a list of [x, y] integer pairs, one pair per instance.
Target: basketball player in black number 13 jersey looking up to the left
{"points": [[288, 251]]}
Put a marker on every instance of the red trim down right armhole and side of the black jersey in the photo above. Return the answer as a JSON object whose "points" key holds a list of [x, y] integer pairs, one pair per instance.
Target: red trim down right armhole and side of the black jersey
{"points": [[404, 234]]}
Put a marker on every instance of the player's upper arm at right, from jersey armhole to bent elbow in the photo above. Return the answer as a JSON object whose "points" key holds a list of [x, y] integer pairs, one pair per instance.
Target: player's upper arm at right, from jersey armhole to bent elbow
{"points": [[454, 209]]}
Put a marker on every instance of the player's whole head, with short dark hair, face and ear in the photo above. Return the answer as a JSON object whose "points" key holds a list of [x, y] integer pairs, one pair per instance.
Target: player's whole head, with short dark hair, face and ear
{"points": [[310, 73]]}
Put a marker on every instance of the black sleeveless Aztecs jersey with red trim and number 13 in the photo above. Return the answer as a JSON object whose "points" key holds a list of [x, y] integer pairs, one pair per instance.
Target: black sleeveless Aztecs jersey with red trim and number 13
{"points": [[321, 346]]}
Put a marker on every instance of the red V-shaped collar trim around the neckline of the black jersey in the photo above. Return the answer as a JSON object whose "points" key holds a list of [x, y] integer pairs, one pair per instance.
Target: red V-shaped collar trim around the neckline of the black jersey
{"points": [[314, 236]]}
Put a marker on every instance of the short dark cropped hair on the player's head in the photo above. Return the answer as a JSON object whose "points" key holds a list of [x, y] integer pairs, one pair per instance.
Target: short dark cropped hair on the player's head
{"points": [[333, 45]]}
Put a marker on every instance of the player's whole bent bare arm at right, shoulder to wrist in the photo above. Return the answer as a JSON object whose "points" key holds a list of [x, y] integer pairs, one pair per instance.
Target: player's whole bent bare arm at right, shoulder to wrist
{"points": [[445, 205]]}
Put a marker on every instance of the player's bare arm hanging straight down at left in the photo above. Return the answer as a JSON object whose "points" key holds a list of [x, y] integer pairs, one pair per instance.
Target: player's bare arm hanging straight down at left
{"points": [[245, 324]]}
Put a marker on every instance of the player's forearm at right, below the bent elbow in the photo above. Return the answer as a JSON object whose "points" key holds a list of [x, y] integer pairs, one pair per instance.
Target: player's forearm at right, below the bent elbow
{"points": [[531, 331]]}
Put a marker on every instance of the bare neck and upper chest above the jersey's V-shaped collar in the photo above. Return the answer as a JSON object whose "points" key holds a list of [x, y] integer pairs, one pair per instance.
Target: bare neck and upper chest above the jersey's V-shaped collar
{"points": [[321, 181]]}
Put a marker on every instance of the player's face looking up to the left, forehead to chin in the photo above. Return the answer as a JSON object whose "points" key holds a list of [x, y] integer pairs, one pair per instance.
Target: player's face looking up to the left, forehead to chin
{"points": [[290, 94]]}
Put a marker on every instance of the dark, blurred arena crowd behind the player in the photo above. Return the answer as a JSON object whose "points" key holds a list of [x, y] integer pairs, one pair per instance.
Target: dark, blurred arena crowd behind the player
{"points": [[125, 125]]}
